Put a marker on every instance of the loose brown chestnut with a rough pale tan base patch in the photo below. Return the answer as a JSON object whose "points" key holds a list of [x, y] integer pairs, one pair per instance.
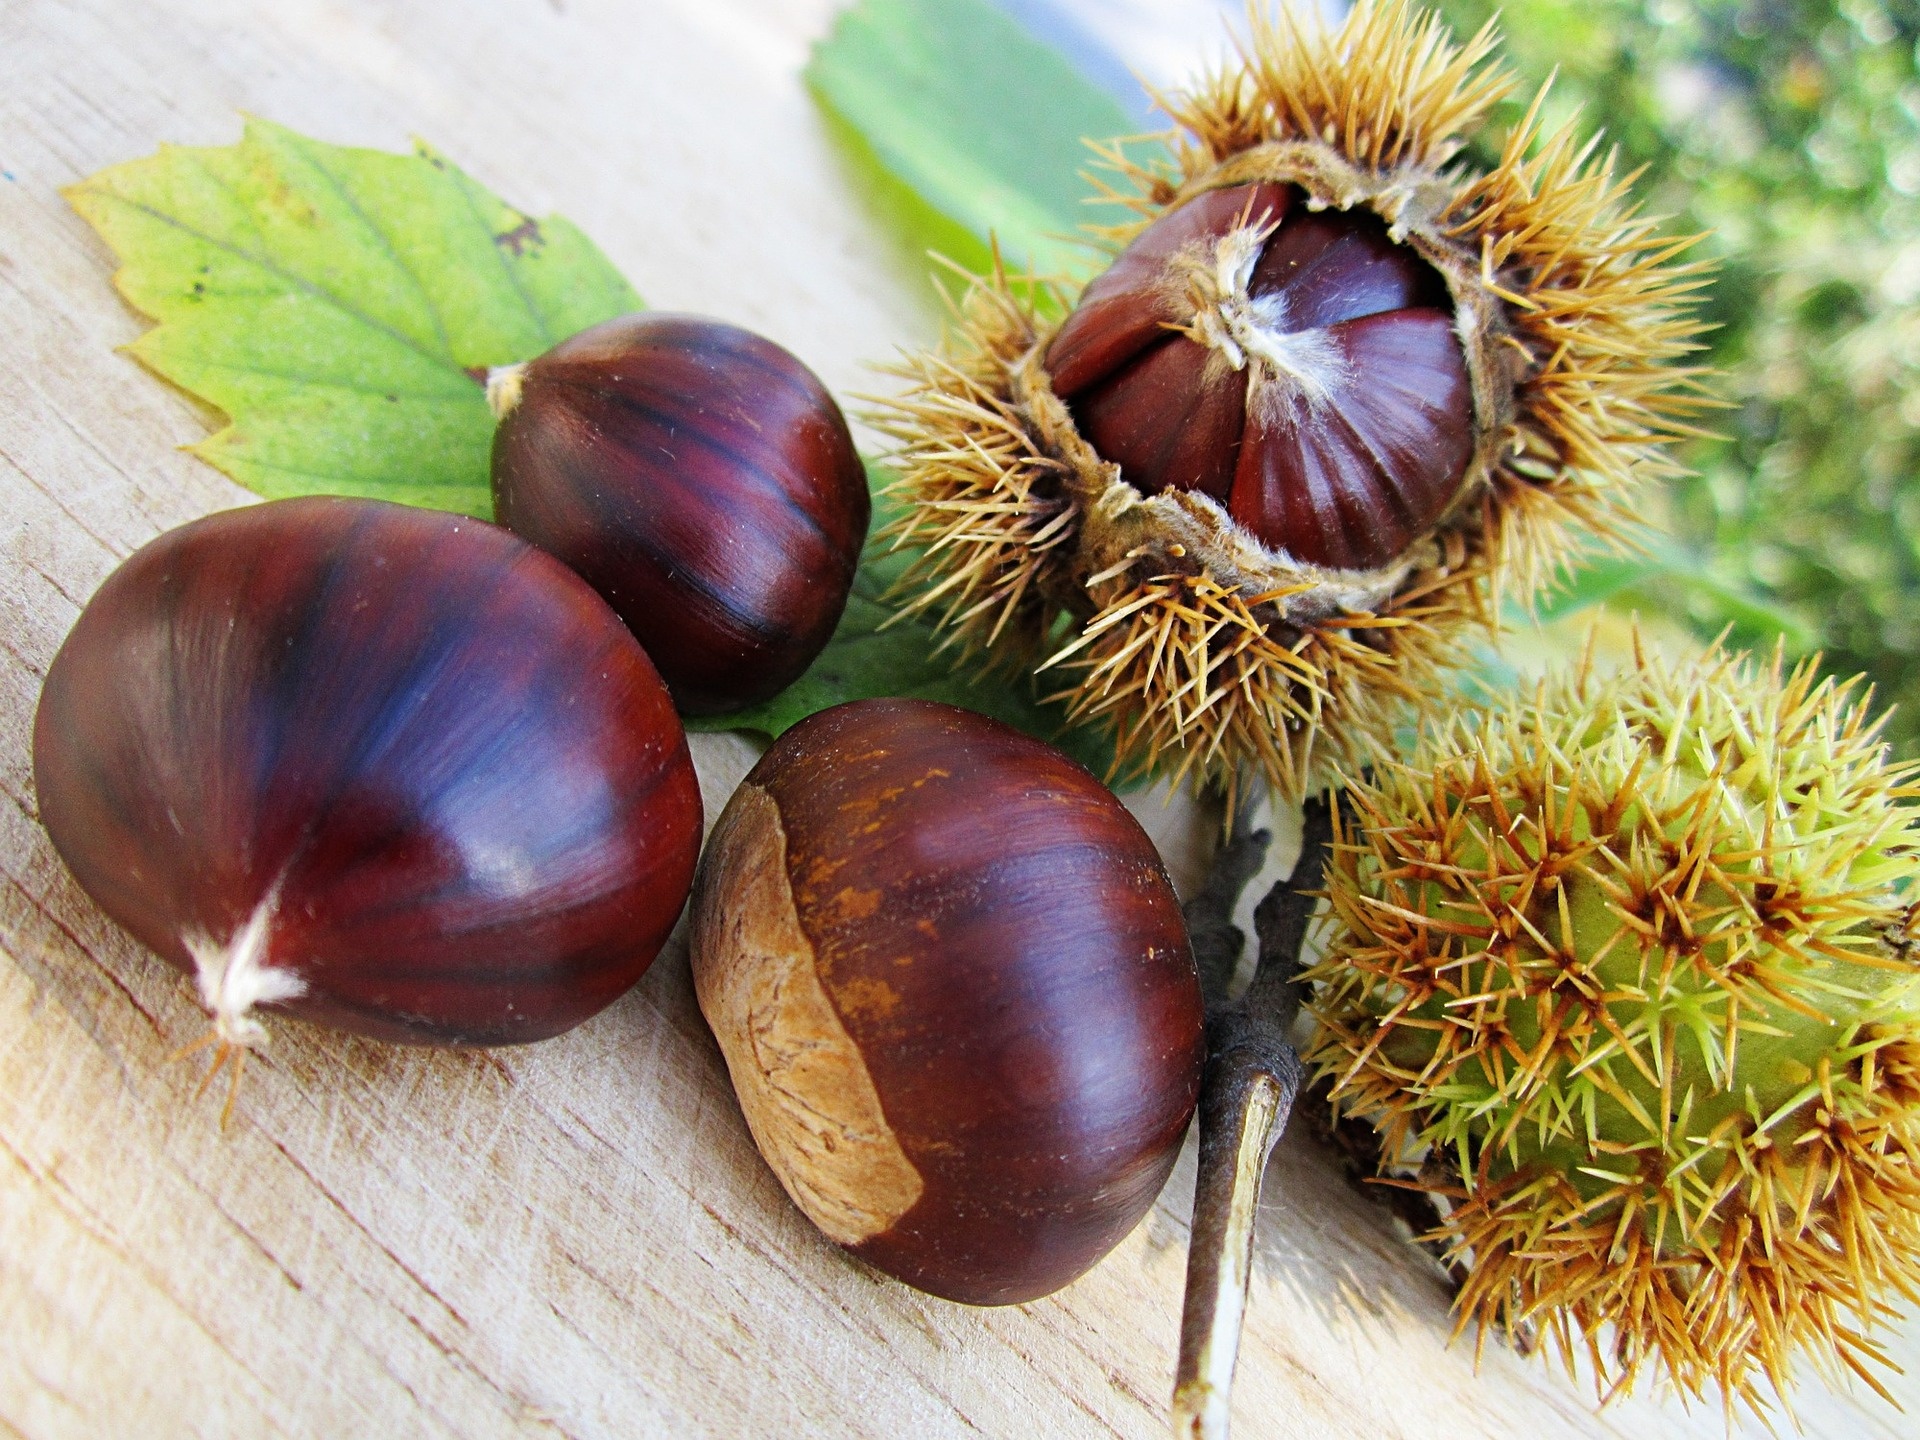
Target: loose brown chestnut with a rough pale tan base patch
{"points": [[955, 994]]}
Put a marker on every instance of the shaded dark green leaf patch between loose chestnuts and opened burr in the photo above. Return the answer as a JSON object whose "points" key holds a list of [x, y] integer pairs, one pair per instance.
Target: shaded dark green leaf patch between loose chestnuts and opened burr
{"points": [[875, 654]]}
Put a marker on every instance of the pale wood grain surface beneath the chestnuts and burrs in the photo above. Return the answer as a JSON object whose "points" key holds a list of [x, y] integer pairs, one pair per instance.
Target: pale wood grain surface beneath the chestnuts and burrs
{"points": [[575, 1239]]}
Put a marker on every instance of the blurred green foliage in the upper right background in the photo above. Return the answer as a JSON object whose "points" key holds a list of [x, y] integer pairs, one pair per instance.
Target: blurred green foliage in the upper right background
{"points": [[1788, 135]]}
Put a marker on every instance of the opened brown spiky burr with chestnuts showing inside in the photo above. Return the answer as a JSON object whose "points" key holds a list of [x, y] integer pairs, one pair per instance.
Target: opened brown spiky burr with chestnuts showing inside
{"points": [[1333, 393]]}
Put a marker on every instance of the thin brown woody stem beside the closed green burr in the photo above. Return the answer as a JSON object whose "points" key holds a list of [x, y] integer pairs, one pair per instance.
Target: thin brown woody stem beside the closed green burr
{"points": [[1247, 1092]]}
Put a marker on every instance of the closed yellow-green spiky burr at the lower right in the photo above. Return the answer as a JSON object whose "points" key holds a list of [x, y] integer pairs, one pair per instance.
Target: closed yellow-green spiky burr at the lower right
{"points": [[1625, 976]]}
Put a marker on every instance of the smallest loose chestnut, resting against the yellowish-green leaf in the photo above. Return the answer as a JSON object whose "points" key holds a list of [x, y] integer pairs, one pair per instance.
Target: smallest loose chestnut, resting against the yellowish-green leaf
{"points": [[702, 481]]}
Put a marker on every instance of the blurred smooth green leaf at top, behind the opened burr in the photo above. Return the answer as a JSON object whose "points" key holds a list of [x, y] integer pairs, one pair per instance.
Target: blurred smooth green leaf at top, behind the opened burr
{"points": [[978, 122]]}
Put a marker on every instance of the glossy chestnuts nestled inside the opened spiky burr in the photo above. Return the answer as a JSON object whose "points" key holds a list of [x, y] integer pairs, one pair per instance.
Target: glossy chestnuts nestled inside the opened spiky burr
{"points": [[1297, 366]]}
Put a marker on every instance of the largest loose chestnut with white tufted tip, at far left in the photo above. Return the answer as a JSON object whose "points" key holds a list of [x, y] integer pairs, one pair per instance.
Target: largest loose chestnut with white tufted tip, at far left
{"points": [[387, 769]]}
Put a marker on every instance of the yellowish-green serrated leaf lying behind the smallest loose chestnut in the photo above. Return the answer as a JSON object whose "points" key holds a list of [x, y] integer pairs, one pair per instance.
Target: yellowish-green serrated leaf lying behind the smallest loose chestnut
{"points": [[343, 306]]}
